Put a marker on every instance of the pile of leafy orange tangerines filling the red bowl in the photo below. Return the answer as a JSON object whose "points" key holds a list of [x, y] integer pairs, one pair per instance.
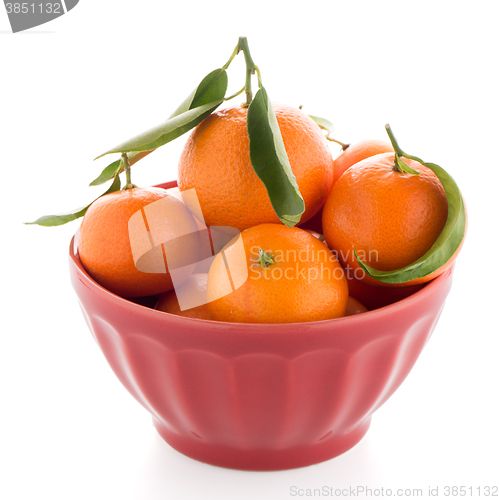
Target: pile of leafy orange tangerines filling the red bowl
{"points": [[373, 222]]}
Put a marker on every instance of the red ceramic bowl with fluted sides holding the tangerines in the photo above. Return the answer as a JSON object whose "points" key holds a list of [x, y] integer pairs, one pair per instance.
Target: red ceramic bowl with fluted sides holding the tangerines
{"points": [[254, 396]]}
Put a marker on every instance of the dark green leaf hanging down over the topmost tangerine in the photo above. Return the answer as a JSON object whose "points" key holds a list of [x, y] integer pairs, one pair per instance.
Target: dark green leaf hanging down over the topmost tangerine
{"points": [[270, 161]]}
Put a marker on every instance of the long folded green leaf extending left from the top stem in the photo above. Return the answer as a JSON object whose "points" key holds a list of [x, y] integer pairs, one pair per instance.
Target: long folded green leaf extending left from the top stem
{"points": [[190, 113]]}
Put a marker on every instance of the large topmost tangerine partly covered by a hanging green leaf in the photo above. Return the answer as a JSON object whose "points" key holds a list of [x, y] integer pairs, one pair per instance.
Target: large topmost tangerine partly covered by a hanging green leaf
{"points": [[216, 162]]}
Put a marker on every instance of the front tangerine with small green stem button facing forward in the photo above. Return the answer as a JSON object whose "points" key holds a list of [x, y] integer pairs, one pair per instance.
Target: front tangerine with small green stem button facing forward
{"points": [[291, 277]]}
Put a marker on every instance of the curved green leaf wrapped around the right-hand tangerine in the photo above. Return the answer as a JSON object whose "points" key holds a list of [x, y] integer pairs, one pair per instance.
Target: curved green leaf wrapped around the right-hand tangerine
{"points": [[443, 248]]}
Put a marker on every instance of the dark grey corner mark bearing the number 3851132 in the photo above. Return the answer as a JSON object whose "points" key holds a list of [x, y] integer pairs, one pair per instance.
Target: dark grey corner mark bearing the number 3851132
{"points": [[24, 15]]}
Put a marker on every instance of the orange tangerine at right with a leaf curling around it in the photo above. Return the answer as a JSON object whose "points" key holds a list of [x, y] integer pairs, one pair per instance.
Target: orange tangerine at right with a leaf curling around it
{"points": [[390, 218]]}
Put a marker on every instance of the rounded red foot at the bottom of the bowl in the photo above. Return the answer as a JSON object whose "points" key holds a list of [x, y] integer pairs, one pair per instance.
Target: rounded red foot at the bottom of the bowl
{"points": [[264, 459]]}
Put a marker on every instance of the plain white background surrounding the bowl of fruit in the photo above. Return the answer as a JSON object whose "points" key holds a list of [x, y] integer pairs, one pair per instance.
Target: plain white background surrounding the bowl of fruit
{"points": [[109, 69]]}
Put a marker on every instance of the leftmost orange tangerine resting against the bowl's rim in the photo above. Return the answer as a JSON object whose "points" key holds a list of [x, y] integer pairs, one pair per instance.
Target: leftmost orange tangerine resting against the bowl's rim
{"points": [[123, 237]]}
